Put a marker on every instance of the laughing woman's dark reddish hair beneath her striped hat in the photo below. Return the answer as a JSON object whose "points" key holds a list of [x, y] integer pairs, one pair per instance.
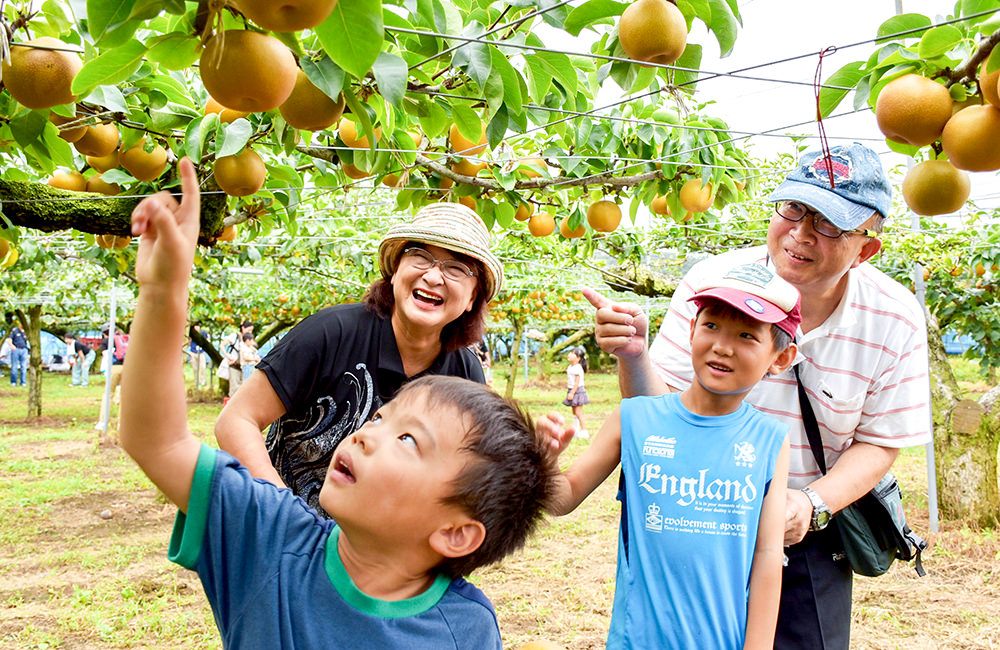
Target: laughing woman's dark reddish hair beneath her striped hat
{"points": [[462, 332]]}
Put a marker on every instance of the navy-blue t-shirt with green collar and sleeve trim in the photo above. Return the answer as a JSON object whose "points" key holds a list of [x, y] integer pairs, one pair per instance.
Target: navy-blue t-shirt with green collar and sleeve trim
{"points": [[271, 571]]}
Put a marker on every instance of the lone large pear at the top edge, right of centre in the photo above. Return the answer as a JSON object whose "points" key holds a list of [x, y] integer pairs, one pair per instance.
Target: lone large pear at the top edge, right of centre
{"points": [[653, 31]]}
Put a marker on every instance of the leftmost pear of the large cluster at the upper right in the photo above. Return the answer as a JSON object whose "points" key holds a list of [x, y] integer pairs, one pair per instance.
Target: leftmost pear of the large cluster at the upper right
{"points": [[913, 110]]}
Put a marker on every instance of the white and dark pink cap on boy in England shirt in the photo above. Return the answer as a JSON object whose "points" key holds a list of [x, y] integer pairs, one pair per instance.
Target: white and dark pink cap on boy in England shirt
{"points": [[756, 291]]}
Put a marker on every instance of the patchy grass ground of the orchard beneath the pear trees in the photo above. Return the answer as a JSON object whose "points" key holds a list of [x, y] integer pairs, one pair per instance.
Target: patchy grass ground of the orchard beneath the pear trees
{"points": [[84, 536]]}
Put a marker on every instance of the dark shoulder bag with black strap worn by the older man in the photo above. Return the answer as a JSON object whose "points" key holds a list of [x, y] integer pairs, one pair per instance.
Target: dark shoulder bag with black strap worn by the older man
{"points": [[873, 529]]}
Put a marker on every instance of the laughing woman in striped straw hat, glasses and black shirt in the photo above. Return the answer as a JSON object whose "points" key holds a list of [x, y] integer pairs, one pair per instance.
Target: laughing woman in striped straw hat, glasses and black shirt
{"points": [[337, 367]]}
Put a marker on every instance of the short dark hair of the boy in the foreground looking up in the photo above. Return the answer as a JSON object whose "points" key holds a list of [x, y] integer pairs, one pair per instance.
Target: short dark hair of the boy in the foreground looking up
{"points": [[510, 479]]}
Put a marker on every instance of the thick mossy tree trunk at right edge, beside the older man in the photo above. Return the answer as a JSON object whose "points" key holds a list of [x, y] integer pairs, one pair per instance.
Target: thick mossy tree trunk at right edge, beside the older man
{"points": [[966, 442]]}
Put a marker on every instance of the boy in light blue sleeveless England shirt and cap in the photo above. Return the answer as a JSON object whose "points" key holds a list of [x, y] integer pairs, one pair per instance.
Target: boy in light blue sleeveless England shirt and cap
{"points": [[703, 480]]}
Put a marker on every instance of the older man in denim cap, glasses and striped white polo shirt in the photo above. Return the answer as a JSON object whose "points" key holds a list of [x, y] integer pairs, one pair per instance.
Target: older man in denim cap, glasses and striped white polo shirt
{"points": [[862, 360]]}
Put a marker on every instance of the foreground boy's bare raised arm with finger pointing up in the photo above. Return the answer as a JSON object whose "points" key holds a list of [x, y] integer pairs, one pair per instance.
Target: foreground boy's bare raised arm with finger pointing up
{"points": [[154, 410]]}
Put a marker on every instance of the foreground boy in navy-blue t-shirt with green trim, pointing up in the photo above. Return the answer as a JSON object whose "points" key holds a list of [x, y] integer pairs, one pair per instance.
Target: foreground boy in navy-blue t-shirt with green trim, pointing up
{"points": [[445, 478]]}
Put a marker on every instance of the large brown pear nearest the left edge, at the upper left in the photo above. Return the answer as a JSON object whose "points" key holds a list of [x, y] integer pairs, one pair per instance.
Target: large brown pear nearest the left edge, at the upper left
{"points": [[41, 78]]}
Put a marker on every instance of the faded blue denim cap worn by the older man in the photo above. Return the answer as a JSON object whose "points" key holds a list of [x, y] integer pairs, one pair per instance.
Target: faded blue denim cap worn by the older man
{"points": [[859, 185]]}
